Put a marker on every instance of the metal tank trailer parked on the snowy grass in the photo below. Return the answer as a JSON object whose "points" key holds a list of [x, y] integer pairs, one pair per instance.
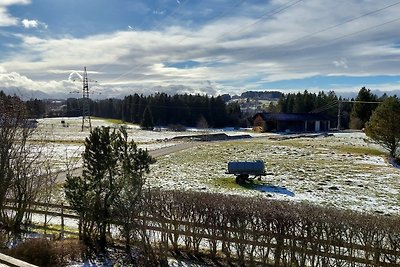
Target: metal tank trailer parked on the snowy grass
{"points": [[245, 169]]}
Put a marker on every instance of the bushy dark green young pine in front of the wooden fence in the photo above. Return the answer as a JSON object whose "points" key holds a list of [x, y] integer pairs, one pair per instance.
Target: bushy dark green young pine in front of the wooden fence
{"points": [[113, 167]]}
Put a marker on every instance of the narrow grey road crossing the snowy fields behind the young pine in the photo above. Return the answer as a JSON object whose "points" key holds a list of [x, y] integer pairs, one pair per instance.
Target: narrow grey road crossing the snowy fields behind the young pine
{"points": [[61, 176]]}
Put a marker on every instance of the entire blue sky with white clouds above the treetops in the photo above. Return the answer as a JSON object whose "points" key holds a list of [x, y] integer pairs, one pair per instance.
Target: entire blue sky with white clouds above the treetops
{"points": [[190, 46]]}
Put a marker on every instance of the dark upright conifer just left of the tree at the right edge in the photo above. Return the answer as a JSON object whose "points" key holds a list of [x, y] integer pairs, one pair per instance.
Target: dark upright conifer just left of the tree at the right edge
{"points": [[361, 112]]}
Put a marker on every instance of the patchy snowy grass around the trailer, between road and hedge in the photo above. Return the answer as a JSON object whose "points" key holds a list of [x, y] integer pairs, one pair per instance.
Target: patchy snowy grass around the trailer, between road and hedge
{"points": [[310, 168]]}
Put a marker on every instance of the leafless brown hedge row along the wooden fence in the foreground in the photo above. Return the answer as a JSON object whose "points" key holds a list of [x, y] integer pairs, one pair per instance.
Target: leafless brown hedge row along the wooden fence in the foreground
{"points": [[254, 231]]}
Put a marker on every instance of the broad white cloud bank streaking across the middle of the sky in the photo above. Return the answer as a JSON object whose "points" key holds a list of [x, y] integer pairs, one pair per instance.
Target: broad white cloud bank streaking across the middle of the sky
{"points": [[231, 51]]}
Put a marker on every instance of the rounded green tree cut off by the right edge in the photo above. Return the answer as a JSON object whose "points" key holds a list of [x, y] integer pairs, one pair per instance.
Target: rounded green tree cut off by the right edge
{"points": [[384, 125]]}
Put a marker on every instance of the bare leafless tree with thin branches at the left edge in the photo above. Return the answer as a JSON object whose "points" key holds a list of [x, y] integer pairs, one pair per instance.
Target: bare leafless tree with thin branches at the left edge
{"points": [[22, 176]]}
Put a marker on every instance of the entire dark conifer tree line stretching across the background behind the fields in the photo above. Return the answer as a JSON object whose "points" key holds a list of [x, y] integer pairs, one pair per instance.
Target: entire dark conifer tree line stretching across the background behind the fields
{"points": [[161, 109]]}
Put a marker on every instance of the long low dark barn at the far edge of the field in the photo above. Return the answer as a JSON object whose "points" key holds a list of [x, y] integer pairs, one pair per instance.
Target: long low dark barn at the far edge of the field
{"points": [[290, 122]]}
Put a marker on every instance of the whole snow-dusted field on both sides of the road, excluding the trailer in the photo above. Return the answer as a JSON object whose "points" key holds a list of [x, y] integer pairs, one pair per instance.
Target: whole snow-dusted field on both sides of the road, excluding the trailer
{"points": [[344, 170]]}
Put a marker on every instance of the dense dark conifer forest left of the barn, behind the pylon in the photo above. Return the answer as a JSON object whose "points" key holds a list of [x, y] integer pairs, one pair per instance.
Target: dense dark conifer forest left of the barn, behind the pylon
{"points": [[165, 110]]}
